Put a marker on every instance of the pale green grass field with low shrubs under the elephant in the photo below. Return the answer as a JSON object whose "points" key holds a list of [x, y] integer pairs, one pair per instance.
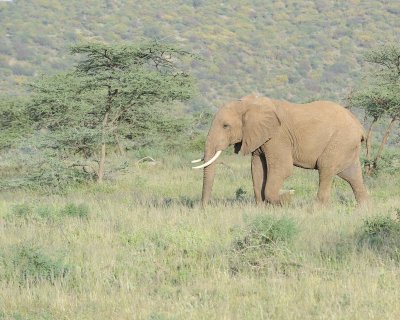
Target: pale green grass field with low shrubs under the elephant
{"points": [[142, 248]]}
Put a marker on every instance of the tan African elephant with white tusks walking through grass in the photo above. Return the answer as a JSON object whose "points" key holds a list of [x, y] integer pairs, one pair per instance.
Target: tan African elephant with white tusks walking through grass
{"points": [[319, 135]]}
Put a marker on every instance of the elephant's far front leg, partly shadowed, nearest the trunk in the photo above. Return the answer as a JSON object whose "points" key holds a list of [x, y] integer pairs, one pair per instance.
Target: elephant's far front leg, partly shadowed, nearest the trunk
{"points": [[259, 175]]}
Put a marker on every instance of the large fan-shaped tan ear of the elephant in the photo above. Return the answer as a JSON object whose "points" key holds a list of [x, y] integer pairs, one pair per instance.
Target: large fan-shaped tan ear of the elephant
{"points": [[260, 123]]}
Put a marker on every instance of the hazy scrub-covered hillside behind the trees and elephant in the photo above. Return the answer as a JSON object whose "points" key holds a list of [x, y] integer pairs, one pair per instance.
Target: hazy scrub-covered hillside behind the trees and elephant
{"points": [[297, 50]]}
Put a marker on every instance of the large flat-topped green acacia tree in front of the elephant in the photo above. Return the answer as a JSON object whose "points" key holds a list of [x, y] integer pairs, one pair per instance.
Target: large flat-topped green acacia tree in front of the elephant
{"points": [[111, 93]]}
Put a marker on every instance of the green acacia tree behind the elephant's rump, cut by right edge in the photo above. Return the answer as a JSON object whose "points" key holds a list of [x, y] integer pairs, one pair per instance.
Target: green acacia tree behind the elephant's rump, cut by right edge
{"points": [[380, 98]]}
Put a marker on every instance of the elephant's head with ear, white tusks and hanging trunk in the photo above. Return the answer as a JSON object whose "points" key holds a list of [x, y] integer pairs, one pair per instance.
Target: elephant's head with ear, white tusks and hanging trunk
{"points": [[246, 123]]}
